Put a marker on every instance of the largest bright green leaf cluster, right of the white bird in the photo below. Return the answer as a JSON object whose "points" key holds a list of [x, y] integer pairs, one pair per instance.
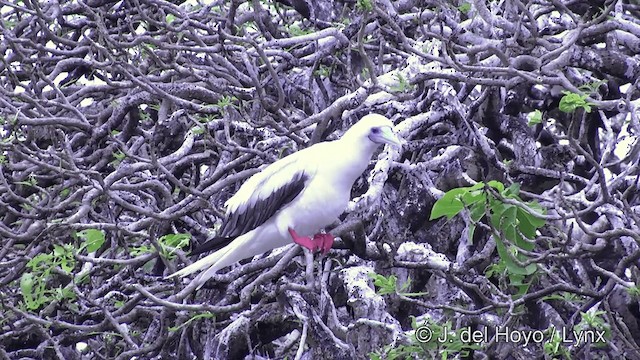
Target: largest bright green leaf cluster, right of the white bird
{"points": [[514, 226]]}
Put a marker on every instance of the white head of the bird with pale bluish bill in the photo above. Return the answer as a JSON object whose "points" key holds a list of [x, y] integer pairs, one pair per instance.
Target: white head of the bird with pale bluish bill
{"points": [[375, 129]]}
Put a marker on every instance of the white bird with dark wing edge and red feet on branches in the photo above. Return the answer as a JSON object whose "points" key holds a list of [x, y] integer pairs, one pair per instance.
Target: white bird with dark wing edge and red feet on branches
{"points": [[294, 198]]}
